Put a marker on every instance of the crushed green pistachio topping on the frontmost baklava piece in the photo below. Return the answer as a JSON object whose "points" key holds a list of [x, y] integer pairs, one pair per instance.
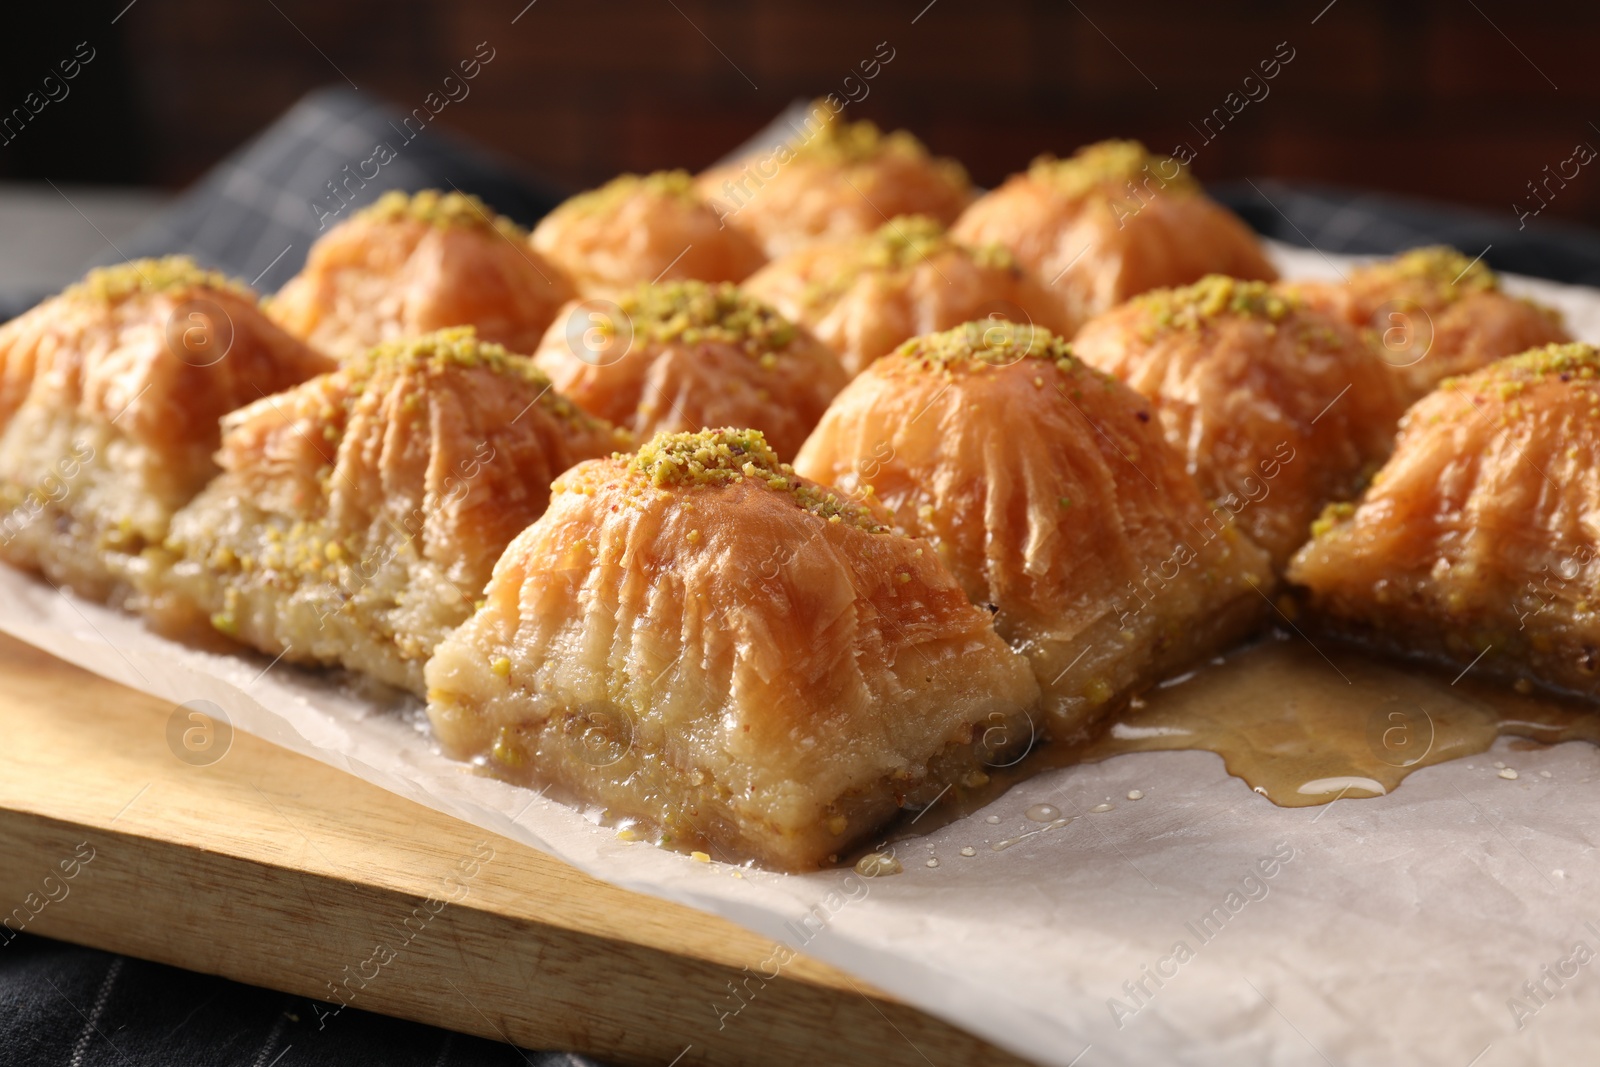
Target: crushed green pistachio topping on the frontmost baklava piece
{"points": [[726, 457]]}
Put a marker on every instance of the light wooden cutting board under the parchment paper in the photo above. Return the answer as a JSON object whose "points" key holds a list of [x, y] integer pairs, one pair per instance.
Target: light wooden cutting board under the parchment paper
{"points": [[274, 869]]}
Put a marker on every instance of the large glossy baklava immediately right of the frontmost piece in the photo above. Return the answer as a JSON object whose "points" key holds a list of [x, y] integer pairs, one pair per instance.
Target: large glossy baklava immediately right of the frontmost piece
{"points": [[1054, 498]]}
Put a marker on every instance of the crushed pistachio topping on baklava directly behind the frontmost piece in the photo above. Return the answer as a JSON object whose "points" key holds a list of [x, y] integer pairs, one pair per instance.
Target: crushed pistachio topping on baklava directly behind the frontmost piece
{"points": [[694, 313]]}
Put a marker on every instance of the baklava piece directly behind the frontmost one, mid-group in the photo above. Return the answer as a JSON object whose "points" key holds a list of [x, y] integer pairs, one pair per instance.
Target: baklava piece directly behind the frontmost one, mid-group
{"points": [[687, 356]]}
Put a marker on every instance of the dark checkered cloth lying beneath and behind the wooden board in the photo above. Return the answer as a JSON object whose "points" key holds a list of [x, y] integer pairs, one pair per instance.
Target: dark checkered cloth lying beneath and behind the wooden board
{"points": [[255, 217]]}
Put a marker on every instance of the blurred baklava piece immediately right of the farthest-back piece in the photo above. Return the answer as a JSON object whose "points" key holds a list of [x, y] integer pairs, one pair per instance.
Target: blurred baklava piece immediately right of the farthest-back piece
{"points": [[1110, 223]]}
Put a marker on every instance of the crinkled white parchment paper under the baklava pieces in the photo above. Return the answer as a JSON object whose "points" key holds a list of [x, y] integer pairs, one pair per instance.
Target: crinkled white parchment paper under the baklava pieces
{"points": [[1198, 925]]}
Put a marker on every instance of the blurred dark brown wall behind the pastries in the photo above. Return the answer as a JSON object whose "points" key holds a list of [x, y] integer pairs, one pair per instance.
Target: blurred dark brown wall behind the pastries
{"points": [[1455, 100]]}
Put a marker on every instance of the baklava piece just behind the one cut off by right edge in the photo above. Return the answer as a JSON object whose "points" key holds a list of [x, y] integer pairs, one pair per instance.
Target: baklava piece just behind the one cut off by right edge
{"points": [[1433, 314]]}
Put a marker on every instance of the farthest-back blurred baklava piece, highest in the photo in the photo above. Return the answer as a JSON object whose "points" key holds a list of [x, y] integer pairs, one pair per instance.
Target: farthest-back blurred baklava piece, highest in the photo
{"points": [[834, 180]]}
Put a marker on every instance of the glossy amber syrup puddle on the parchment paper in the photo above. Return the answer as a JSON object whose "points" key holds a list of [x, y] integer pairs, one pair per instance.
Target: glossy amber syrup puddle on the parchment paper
{"points": [[1303, 725]]}
